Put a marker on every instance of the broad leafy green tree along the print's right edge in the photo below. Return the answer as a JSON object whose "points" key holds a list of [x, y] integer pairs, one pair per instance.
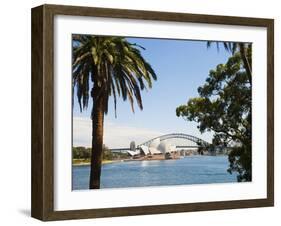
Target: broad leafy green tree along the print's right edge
{"points": [[224, 107]]}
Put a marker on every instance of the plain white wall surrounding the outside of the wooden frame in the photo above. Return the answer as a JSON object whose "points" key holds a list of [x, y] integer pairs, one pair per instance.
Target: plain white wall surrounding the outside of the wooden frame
{"points": [[15, 112]]}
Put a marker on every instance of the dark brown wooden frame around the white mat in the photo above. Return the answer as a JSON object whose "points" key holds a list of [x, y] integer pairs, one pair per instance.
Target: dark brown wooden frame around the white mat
{"points": [[42, 198]]}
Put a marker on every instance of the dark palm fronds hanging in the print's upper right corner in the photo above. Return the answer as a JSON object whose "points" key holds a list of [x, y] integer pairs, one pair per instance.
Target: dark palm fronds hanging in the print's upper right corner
{"points": [[243, 48]]}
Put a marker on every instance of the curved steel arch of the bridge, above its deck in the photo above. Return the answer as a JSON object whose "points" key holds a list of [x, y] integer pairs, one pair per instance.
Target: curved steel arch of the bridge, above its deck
{"points": [[198, 141]]}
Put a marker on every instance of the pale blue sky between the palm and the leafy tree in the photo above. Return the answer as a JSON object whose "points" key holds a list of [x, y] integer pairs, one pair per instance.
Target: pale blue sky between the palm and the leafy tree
{"points": [[181, 67]]}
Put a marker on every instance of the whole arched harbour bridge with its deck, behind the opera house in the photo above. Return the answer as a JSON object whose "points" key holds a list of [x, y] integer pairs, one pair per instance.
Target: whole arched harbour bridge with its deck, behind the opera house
{"points": [[179, 140]]}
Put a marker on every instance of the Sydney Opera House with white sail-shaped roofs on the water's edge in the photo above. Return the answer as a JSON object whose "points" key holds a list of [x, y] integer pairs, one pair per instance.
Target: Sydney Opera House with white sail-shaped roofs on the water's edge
{"points": [[155, 150]]}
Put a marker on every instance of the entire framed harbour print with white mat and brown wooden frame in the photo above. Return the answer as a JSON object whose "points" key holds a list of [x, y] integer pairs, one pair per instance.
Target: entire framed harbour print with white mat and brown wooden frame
{"points": [[141, 112]]}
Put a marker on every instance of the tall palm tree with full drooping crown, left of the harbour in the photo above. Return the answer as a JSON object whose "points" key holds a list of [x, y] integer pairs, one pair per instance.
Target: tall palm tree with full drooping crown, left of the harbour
{"points": [[104, 67]]}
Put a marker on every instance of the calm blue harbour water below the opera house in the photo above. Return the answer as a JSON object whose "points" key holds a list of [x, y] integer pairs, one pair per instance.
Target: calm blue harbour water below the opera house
{"points": [[189, 170]]}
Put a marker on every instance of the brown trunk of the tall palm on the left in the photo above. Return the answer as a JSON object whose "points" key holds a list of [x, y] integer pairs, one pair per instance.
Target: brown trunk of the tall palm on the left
{"points": [[97, 142]]}
